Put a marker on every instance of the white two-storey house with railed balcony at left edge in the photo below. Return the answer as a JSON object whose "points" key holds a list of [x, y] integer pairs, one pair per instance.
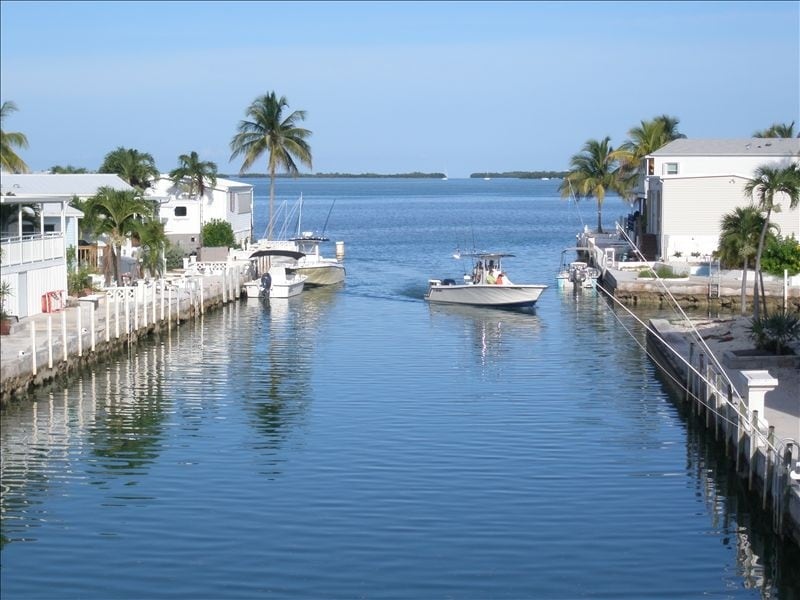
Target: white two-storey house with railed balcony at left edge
{"points": [[37, 228]]}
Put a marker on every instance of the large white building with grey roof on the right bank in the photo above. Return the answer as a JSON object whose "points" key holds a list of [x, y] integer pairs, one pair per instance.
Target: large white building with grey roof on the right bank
{"points": [[688, 185]]}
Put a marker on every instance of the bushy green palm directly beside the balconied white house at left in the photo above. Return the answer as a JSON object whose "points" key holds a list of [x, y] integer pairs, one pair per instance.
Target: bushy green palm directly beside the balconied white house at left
{"points": [[116, 214]]}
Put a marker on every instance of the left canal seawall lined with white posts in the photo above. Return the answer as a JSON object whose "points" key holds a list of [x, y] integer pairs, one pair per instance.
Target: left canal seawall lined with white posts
{"points": [[49, 346]]}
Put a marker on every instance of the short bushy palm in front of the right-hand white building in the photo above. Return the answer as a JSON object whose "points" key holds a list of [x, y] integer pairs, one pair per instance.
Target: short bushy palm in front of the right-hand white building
{"points": [[739, 232]]}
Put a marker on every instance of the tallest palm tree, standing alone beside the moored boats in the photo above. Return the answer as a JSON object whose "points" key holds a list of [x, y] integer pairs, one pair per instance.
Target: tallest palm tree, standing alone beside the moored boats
{"points": [[270, 130]]}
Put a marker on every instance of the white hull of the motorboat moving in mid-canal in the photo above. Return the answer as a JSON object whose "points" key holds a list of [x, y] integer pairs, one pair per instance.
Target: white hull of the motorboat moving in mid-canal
{"points": [[488, 295]]}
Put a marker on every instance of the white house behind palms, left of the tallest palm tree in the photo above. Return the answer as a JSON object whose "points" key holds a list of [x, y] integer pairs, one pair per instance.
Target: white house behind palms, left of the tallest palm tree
{"points": [[183, 214]]}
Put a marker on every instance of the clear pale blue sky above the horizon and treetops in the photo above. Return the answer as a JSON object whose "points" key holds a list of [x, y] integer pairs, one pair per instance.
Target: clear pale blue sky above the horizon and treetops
{"points": [[392, 87]]}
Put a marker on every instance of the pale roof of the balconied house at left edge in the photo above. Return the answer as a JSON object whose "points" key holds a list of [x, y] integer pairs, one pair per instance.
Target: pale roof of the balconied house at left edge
{"points": [[66, 184]]}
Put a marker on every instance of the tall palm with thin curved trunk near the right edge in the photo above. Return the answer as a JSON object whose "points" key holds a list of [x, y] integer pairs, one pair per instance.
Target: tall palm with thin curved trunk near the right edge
{"points": [[767, 183]]}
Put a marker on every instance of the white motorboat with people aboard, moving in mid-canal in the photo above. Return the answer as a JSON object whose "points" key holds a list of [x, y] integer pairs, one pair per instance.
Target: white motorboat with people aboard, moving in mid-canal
{"points": [[487, 285]]}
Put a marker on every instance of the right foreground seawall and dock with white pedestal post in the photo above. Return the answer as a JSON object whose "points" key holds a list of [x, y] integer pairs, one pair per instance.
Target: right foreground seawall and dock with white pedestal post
{"points": [[751, 409]]}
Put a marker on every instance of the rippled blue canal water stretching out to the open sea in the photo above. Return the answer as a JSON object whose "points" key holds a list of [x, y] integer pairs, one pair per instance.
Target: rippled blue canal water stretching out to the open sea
{"points": [[358, 442]]}
